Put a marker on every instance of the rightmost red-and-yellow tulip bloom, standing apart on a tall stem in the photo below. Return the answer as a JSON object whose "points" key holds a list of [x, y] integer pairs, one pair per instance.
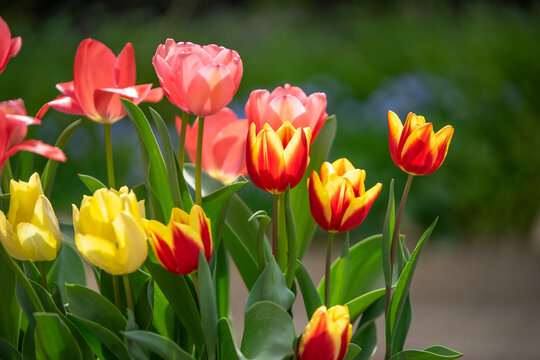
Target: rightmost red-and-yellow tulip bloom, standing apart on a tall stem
{"points": [[414, 147]]}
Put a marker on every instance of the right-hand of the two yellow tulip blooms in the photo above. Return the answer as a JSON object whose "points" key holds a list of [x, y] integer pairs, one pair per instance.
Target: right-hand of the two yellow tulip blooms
{"points": [[109, 230]]}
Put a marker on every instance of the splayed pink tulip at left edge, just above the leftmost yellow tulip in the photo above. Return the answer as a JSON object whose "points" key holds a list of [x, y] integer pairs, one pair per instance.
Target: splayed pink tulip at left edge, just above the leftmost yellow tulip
{"points": [[13, 127]]}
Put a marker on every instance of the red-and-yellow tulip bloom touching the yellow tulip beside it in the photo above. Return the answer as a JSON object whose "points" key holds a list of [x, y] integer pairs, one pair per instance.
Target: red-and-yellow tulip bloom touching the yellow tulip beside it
{"points": [[177, 245]]}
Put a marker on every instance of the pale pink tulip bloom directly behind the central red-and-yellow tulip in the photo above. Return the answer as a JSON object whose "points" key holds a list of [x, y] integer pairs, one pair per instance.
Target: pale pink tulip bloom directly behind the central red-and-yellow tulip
{"points": [[287, 104]]}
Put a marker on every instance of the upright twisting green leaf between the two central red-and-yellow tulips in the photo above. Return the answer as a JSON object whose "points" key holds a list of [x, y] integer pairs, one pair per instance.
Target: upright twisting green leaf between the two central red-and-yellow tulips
{"points": [[305, 225]]}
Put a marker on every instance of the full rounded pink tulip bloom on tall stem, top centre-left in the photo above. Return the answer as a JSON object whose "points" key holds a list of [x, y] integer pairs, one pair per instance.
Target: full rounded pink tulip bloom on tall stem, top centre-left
{"points": [[198, 79]]}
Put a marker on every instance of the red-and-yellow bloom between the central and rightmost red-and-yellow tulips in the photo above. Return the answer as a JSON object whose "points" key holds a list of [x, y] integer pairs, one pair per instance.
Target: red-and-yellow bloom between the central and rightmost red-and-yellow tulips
{"points": [[337, 198]]}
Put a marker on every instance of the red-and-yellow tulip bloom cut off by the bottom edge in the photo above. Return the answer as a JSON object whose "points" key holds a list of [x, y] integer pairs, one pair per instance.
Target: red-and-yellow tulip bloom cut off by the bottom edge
{"points": [[327, 334]]}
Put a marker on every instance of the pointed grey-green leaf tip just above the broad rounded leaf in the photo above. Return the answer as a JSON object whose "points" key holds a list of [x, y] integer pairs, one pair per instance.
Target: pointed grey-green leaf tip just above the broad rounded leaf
{"points": [[271, 286]]}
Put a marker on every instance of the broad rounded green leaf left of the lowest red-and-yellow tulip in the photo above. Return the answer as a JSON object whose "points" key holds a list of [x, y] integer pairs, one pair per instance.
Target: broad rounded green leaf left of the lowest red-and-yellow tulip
{"points": [[268, 332]]}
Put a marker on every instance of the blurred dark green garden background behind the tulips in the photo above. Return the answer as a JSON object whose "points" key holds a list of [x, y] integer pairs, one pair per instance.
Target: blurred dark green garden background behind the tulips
{"points": [[472, 64]]}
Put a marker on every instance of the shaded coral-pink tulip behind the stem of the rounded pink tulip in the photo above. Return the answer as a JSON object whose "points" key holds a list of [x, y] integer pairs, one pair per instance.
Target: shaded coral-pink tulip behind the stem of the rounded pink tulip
{"points": [[224, 145]]}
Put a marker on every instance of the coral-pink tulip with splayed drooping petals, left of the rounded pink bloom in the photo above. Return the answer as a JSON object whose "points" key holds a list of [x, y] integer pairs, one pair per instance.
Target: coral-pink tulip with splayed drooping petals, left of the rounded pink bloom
{"points": [[100, 80]]}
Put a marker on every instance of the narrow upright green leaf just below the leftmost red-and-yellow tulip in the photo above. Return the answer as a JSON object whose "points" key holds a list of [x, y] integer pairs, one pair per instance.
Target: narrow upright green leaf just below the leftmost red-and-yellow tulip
{"points": [[208, 307]]}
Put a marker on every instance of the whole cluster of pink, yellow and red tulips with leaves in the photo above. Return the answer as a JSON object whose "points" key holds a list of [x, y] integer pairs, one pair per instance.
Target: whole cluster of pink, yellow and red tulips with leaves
{"points": [[273, 146]]}
